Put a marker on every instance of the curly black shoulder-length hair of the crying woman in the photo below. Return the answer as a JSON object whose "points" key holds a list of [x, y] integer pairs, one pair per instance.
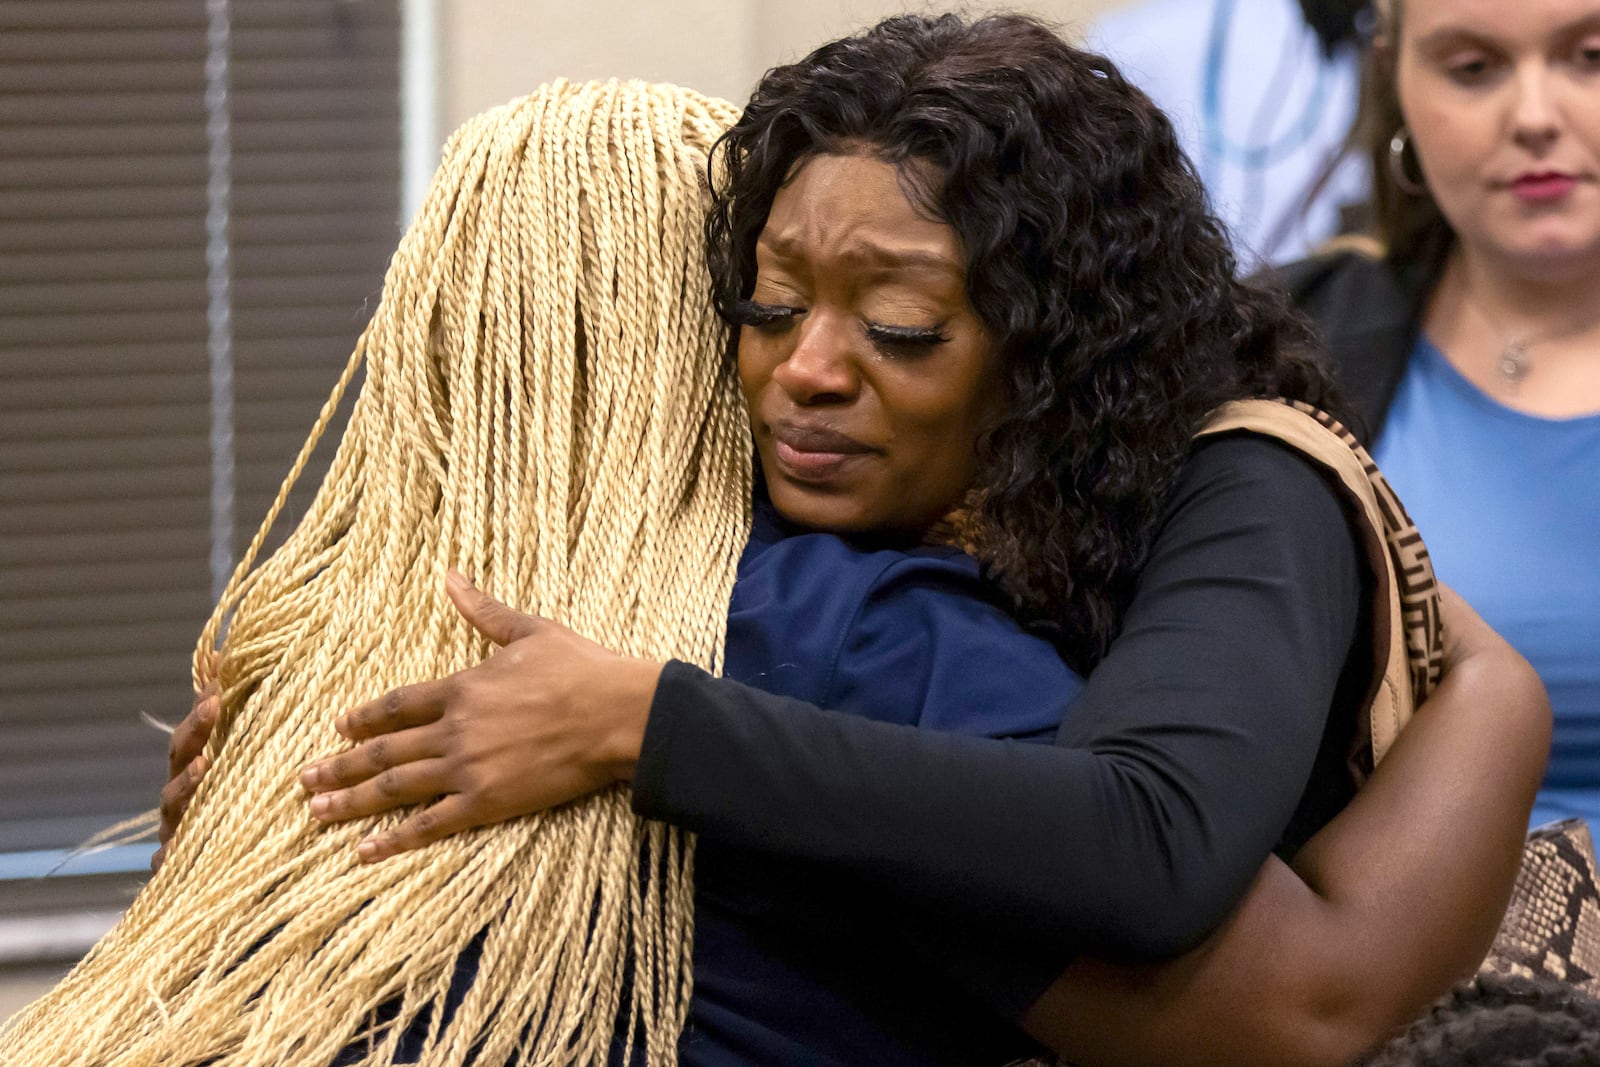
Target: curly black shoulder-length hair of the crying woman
{"points": [[1105, 284]]}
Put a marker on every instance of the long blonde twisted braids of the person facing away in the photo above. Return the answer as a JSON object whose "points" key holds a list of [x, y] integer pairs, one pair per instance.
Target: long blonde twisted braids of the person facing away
{"points": [[546, 409]]}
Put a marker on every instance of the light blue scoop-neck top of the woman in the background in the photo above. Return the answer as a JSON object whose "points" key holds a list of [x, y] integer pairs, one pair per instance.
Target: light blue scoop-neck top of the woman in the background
{"points": [[1510, 506]]}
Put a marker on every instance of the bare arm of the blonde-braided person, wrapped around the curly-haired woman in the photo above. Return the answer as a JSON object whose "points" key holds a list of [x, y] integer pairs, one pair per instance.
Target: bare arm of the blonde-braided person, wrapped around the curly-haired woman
{"points": [[1393, 903]]}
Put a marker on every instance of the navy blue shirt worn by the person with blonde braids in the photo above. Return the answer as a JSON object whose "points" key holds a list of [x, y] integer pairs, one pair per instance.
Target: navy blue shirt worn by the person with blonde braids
{"points": [[799, 964]]}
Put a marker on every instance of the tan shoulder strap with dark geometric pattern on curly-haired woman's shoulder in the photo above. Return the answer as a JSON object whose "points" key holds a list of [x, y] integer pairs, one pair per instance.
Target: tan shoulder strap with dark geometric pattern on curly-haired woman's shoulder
{"points": [[1407, 626]]}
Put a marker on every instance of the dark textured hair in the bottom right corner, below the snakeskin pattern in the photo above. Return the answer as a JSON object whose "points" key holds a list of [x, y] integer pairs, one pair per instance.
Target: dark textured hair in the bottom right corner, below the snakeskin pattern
{"points": [[1502, 1021]]}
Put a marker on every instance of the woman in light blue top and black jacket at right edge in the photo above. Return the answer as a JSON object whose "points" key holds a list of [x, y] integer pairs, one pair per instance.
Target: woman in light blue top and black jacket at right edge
{"points": [[1473, 345]]}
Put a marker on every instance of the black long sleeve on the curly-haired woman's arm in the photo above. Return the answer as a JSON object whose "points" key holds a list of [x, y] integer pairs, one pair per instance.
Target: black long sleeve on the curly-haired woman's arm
{"points": [[1201, 745]]}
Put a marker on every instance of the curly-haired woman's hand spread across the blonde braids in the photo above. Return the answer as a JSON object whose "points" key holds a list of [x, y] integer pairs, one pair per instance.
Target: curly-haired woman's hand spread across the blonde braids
{"points": [[550, 717]]}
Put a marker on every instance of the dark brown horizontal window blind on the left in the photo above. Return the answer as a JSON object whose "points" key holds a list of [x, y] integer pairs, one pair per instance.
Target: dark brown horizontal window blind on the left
{"points": [[108, 478]]}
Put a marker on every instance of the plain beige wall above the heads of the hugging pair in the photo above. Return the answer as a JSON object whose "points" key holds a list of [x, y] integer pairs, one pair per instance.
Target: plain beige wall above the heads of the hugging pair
{"points": [[492, 50]]}
